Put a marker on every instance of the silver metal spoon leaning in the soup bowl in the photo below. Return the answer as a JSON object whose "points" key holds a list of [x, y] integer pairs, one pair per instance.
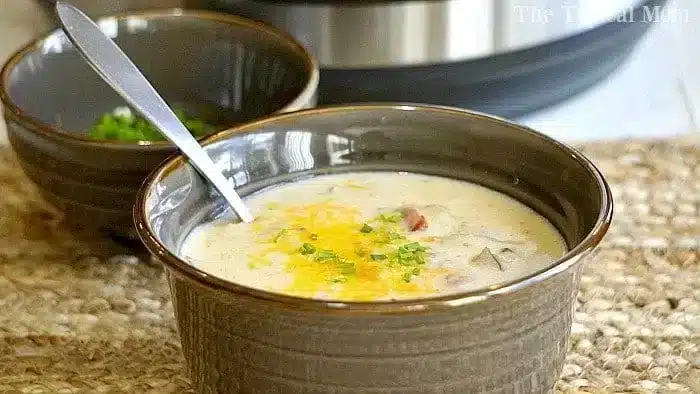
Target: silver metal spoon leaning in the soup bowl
{"points": [[125, 78]]}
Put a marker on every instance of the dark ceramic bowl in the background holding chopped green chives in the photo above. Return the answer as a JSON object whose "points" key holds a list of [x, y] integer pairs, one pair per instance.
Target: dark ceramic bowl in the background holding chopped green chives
{"points": [[222, 68]]}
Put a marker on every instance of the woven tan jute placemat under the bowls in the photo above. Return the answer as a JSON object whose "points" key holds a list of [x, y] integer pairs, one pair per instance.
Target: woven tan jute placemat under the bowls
{"points": [[80, 314]]}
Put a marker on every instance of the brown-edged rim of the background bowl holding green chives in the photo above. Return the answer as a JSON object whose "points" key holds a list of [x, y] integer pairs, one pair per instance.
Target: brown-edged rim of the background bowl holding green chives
{"points": [[12, 110]]}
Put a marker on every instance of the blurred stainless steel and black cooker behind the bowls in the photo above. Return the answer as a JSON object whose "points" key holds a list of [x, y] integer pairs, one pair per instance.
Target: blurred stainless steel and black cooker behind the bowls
{"points": [[505, 57]]}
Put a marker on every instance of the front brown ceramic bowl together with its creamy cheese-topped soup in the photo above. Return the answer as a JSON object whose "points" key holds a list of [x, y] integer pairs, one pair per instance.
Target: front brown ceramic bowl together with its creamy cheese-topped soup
{"points": [[397, 248]]}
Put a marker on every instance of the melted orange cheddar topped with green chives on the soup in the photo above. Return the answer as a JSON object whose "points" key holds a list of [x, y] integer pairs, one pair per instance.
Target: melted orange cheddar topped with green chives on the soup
{"points": [[329, 249]]}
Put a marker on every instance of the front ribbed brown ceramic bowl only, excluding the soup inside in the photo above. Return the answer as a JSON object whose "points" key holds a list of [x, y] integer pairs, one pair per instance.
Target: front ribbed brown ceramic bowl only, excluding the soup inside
{"points": [[508, 338]]}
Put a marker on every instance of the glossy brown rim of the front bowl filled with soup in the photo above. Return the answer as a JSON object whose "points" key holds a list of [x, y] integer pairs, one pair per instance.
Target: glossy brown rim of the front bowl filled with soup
{"points": [[173, 262]]}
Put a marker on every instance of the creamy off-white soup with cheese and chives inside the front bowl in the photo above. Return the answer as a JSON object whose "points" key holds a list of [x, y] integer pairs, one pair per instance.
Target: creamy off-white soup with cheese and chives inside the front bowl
{"points": [[376, 236]]}
